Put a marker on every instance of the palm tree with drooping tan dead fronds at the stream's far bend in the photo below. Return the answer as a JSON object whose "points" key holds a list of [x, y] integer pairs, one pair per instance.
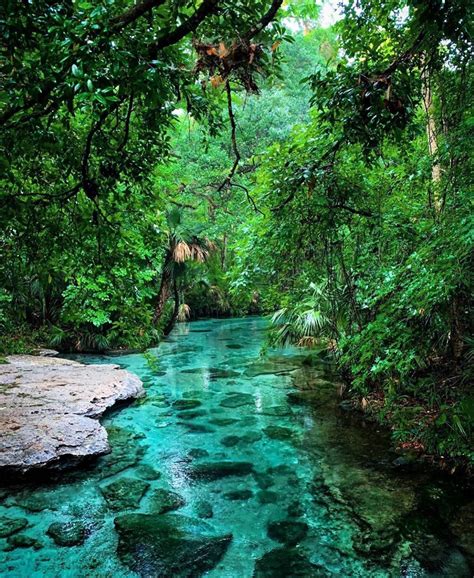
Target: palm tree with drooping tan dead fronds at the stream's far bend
{"points": [[184, 244]]}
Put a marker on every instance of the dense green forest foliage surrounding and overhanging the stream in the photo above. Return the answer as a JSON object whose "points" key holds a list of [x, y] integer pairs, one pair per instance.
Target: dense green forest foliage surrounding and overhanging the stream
{"points": [[144, 180]]}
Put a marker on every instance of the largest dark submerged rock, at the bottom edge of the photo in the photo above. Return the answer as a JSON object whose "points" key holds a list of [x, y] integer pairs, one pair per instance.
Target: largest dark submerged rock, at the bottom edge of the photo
{"points": [[166, 546]]}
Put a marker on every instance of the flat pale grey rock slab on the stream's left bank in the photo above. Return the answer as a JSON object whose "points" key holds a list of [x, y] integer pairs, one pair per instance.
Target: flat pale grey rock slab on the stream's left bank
{"points": [[49, 410]]}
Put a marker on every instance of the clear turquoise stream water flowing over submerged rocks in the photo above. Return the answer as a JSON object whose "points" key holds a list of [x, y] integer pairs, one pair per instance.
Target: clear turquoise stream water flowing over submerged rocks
{"points": [[260, 472]]}
